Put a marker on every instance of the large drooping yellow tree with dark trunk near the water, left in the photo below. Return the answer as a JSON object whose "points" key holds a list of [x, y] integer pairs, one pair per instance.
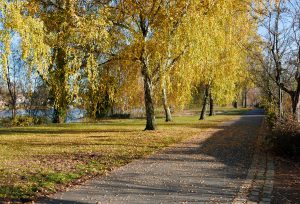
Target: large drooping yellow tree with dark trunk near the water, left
{"points": [[70, 33]]}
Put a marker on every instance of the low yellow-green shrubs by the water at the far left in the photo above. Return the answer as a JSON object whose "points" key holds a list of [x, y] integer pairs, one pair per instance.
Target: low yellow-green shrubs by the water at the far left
{"points": [[23, 121]]}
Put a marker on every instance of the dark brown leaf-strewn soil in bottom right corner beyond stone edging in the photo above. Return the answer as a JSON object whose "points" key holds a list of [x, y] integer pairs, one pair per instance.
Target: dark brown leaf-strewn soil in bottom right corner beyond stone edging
{"points": [[287, 180]]}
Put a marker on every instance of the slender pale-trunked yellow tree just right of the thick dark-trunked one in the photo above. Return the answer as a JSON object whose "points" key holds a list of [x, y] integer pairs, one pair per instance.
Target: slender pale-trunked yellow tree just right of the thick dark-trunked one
{"points": [[174, 46]]}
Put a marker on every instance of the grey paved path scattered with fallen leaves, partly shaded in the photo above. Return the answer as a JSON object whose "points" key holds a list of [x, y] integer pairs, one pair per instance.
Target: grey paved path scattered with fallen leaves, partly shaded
{"points": [[214, 170]]}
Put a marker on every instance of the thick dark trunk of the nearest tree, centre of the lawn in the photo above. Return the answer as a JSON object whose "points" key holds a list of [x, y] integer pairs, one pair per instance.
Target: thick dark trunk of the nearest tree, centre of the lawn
{"points": [[150, 125]]}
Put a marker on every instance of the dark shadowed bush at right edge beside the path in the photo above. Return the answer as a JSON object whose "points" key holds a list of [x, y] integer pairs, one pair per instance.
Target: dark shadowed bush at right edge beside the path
{"points": [[285, 136]]}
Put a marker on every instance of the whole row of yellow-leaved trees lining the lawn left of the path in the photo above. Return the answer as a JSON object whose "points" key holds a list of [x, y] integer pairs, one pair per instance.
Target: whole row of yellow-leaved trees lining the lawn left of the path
{"points": [[107, 53]]}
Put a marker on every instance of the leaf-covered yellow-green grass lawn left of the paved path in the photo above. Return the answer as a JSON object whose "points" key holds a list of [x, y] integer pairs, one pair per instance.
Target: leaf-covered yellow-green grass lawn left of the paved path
{"points": [[36, 161]]}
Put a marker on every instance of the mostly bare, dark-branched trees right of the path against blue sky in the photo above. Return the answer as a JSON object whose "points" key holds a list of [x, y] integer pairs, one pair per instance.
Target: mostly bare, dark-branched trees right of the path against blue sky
{"points": [[278, 70]]}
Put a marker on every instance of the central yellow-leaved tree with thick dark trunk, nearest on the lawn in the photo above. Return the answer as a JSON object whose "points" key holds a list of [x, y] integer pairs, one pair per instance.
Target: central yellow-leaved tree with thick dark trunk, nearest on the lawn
{"points": [[147, 25]]}
